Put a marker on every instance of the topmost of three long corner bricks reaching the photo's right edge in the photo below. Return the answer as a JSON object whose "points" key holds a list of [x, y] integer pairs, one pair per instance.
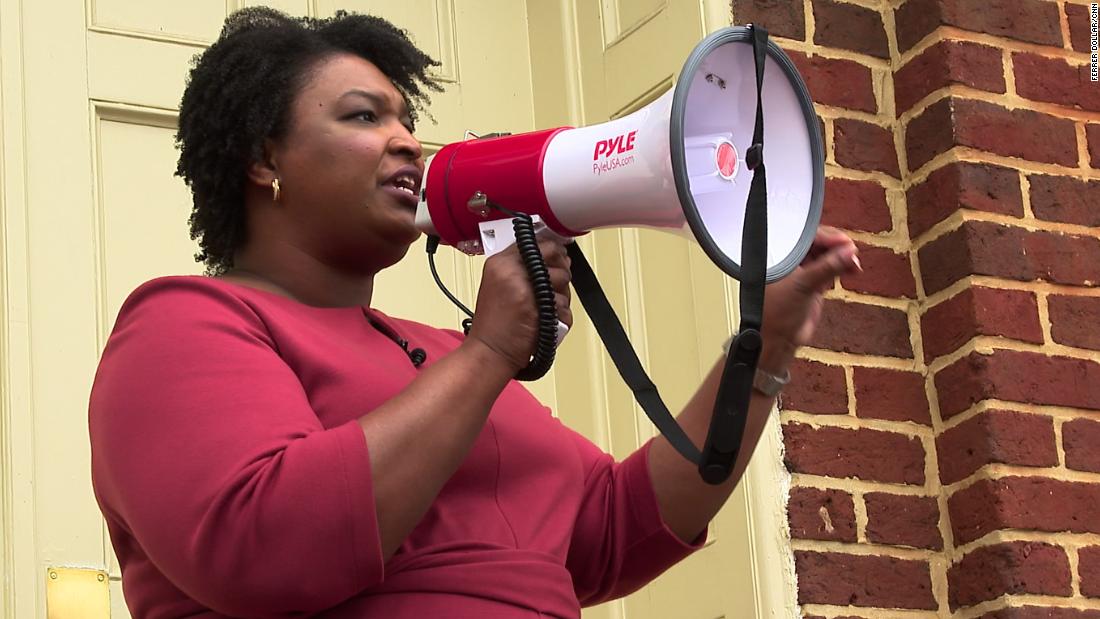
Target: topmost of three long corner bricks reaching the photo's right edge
{"points": [[980, 248]]}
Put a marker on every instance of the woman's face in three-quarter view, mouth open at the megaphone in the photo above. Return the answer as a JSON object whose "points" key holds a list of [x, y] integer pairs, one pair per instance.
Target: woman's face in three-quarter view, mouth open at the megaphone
{"points": [[350, 169]]}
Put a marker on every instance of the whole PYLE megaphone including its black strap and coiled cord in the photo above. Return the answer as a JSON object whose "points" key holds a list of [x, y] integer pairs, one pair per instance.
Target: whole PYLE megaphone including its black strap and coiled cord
{"points": [[691, 163]]}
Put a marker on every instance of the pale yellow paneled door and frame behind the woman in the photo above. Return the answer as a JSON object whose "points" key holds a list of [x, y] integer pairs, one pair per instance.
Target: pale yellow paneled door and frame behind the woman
{"points": [[91, 209]]}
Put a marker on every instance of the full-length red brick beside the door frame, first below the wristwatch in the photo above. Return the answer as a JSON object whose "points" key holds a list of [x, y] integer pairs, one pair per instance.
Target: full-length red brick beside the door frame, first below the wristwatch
{"points": [[866, 455]]}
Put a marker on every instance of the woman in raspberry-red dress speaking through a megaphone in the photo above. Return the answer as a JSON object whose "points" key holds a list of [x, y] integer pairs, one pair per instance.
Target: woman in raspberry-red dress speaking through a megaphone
{"points": [[262, 444]]}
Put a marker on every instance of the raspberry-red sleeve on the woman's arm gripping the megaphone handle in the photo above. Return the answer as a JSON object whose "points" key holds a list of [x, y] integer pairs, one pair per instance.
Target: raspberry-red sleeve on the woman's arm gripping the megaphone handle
{"points": [[207, 452]]}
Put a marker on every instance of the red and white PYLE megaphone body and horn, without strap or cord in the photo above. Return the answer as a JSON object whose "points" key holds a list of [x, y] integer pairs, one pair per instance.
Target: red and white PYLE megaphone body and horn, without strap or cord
{"points": [[676, 165]]}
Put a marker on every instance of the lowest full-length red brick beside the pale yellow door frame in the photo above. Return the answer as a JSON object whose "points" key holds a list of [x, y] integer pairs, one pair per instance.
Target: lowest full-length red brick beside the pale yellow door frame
{"points": [[845, 580]]}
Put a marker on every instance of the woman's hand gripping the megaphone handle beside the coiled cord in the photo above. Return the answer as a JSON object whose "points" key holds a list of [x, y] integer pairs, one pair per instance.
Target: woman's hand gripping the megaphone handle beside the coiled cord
{"points": [[507, 316]]}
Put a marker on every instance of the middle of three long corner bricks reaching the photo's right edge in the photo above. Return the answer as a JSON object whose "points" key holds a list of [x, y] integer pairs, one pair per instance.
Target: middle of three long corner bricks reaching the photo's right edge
{"points": [[1018, 377]]}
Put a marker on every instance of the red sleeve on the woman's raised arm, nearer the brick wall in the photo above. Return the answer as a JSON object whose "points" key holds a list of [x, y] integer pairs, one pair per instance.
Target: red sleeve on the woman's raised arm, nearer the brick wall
{"points": [[620, 541]]}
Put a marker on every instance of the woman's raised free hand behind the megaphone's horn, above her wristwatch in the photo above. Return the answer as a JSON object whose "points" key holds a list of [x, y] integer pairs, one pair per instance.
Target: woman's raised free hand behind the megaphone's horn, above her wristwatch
{"points": [[794, 305]]}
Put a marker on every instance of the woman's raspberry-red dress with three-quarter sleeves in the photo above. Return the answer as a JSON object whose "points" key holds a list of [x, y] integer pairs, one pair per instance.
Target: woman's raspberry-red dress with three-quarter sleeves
{"points": [[235, 478]]}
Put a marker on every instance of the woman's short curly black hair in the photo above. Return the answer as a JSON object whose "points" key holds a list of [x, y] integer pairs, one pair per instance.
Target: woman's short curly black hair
{"points": [[240, 92]]}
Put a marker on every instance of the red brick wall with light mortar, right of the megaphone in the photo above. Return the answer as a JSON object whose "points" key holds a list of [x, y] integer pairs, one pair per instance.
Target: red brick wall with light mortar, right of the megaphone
{"points": [[944, 430]]}
